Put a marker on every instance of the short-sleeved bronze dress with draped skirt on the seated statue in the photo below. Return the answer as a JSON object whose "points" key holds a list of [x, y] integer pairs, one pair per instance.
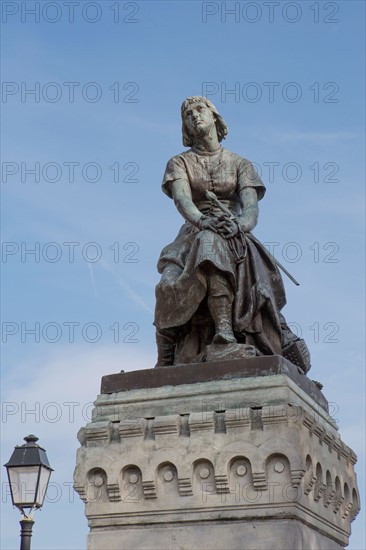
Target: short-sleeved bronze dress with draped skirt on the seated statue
{"points": [[256, 281]]}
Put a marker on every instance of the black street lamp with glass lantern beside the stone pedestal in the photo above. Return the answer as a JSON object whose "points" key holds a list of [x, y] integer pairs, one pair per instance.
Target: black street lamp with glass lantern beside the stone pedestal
{"points": [[28, 473]]}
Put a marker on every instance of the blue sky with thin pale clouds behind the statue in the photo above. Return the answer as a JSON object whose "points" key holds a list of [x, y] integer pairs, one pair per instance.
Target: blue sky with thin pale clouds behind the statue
{"points": [[296, 109]]}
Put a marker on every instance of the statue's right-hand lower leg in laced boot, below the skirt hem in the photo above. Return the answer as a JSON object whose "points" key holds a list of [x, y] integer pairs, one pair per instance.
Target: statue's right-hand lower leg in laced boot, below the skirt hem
{"points": [[220, 304]]}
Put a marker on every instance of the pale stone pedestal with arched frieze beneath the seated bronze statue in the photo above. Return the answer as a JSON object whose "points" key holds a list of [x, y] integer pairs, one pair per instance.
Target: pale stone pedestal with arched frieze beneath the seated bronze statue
{"points": [[232, 454]]}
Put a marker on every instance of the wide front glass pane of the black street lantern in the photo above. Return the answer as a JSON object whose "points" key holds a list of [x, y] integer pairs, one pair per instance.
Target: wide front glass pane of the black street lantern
{"points": [[24, 485]]}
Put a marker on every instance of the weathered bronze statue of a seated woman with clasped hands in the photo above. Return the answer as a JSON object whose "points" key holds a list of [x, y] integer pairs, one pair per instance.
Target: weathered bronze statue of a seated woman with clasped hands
{"points": [[219, 285]]}
